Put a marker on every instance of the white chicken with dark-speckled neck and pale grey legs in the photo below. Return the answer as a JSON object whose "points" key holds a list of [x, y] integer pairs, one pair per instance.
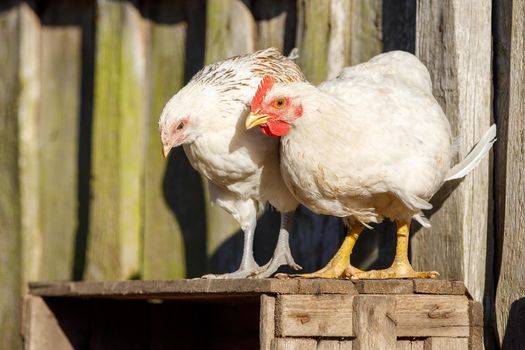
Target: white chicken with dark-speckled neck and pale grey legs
{"points": [[207, 118]]}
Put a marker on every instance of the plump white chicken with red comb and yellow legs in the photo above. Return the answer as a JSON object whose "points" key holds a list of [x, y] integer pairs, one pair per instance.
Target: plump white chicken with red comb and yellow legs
{"points": [[370, 144]]}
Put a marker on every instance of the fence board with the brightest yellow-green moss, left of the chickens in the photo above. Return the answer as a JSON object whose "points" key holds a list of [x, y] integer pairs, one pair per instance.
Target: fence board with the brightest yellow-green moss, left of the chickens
{"points": [[114, 245]]}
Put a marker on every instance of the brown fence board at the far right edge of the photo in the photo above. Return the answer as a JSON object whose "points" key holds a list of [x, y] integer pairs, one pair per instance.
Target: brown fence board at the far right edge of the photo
{"points": [[510, 182]]}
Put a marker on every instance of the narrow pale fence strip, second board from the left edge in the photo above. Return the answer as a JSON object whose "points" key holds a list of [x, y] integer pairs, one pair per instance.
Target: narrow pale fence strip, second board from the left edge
{"points": [[29, 77]]}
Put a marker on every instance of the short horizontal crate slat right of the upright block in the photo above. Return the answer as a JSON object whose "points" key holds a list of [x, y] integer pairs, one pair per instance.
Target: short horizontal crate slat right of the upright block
{"points": [[432, 315]]}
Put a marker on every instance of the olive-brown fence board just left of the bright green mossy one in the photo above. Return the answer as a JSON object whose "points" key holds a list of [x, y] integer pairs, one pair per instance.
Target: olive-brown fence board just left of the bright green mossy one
{"points": [[58, 126]]}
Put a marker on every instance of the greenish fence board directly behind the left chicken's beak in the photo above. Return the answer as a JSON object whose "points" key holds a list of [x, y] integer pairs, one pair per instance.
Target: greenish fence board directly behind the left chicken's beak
{"points": [[163, 246]]}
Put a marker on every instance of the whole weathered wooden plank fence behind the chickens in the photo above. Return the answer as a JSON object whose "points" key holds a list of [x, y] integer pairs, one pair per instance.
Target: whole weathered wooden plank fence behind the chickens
{"points": [[86, 194]]}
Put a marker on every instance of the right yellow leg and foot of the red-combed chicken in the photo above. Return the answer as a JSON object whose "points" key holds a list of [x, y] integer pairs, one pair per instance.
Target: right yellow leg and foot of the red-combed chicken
{"points": [[401, 267]]}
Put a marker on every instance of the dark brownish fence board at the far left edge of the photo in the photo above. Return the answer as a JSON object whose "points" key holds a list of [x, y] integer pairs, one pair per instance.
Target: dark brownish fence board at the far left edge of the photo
{"points": [[10, 255]]}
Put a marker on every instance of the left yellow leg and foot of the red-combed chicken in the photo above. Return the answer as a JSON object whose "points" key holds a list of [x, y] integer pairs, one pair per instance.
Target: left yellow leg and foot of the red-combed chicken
{"points": [[339, 266]]}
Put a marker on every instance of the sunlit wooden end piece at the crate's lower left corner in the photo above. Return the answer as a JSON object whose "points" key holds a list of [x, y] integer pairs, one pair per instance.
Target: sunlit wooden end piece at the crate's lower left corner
{"points": [[41, 329]]}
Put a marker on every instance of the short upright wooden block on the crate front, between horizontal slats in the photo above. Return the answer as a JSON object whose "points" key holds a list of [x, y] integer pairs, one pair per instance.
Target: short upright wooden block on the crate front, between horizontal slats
{"points": [[373, 322]]}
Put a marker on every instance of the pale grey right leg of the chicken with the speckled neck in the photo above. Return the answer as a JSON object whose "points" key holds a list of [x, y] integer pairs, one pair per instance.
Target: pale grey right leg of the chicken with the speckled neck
{"points": [[282, 254]]}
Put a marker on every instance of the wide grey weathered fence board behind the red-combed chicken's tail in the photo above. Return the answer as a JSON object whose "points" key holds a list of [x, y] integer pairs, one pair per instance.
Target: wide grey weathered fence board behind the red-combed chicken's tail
{"points": [[454, 40]]}
